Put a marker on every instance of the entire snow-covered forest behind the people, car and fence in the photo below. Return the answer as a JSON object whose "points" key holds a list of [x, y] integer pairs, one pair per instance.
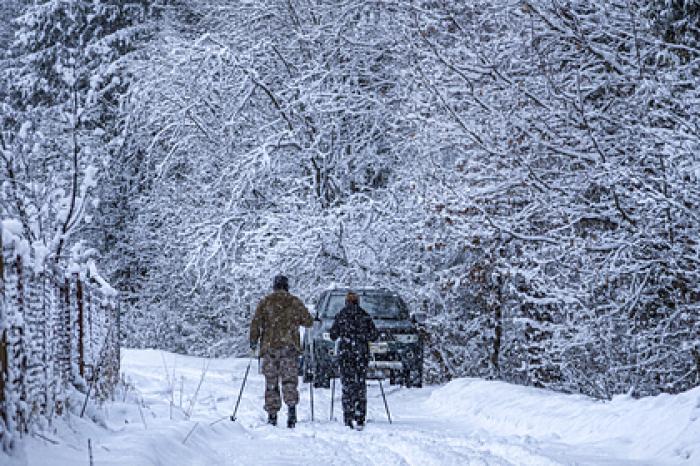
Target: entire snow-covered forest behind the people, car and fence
{"points": [[525, 172]]}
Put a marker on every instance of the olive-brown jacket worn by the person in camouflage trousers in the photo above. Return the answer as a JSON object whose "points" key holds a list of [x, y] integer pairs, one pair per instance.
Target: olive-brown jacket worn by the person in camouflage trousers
{"points": [[277, 320]]}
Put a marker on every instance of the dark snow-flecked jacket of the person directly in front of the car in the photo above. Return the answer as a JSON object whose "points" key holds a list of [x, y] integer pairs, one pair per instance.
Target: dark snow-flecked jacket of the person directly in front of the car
{"points": [[355, 329]]}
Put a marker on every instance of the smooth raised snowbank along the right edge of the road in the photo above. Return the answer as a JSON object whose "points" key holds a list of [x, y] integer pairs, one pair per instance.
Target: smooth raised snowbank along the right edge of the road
{"points": [[664, 428]]}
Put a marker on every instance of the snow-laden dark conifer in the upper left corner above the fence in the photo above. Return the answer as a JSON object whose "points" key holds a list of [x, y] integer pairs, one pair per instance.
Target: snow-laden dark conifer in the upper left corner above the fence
{"points": [[60, 125]]}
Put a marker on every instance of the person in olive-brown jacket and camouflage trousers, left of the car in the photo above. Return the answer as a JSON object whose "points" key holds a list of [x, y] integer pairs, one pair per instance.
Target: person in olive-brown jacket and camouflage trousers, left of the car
{"points": [[275, 327]]}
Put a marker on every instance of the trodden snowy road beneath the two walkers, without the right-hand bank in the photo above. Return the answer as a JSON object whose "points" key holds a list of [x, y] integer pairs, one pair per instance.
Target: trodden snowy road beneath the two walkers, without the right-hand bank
{"points": [[422, 434]]}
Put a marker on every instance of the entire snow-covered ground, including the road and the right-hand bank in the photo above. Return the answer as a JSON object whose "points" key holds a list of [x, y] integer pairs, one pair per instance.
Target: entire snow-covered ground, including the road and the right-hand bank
{"points": [[467, 421]]}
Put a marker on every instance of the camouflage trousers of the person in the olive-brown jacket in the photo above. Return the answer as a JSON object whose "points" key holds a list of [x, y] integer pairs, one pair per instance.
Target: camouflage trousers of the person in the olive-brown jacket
{"points": [[280, 365]]}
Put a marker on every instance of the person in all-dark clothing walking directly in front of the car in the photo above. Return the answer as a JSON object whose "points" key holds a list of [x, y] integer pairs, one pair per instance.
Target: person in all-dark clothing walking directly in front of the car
{"points": [[355, 328]]}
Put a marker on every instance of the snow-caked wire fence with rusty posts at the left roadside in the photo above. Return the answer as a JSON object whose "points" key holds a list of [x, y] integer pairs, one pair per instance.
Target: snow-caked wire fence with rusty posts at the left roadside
{"points": [[59, 331]]}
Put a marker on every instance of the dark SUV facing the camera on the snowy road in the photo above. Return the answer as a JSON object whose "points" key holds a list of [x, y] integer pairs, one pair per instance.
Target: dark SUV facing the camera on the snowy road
{"points": [[397, 355]]}
